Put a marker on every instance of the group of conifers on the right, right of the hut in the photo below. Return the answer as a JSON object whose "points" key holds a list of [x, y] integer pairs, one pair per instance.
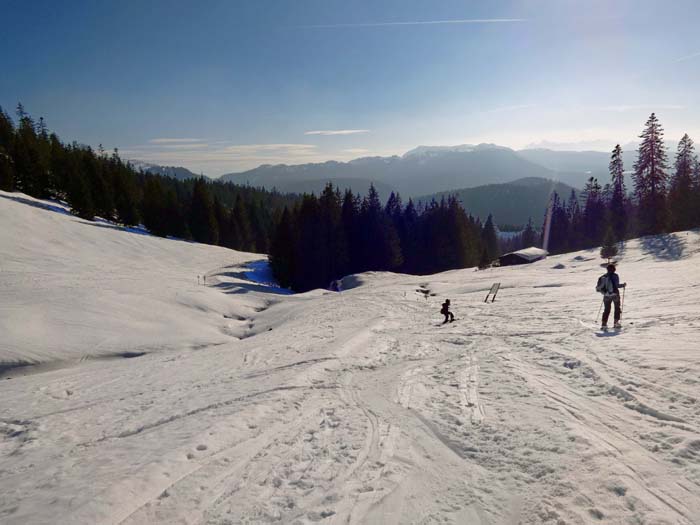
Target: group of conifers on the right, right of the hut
{"points": [[664, 198]]}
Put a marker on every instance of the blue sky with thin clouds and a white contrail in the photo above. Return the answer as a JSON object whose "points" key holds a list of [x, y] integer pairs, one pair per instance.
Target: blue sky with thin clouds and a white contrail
{"points": [[220, 86]]}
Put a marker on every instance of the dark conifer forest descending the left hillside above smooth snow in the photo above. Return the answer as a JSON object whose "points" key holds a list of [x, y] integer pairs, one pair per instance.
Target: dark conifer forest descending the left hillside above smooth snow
{"points": [[93, 183]]}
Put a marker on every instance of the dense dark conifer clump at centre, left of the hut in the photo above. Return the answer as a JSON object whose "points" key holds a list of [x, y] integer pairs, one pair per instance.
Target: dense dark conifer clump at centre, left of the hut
{"points": [[324, 238]]}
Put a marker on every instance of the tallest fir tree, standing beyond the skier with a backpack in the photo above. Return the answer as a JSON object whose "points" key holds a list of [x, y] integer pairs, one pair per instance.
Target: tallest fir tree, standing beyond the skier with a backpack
{"points": [[650, 177]]}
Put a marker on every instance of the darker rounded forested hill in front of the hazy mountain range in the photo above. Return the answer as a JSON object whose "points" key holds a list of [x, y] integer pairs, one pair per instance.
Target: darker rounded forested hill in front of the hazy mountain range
{"points": [[512, 203]]}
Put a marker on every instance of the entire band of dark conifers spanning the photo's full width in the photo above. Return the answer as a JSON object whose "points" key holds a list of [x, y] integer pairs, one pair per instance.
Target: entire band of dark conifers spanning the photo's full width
{"points": [[312, 240]]}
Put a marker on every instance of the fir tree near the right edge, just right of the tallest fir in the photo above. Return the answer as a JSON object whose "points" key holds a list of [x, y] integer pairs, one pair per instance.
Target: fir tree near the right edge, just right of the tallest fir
{"points": [[681, 203]]}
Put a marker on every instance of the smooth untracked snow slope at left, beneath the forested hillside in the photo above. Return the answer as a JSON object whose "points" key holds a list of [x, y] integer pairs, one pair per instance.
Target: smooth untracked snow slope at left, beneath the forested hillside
{"points": [[73, 289]]}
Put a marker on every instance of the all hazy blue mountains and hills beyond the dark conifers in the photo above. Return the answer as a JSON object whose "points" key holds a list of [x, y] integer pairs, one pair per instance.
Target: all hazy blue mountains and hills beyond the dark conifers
{"points": [[512, 184]]}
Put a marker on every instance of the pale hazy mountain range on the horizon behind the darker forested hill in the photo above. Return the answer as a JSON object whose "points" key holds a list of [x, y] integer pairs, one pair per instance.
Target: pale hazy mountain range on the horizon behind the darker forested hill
{"points": [[427, 170]]}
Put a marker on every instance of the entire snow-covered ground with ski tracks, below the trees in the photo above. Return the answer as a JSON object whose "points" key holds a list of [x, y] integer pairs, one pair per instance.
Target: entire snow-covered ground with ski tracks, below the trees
{"points": [[158, 400]]}
